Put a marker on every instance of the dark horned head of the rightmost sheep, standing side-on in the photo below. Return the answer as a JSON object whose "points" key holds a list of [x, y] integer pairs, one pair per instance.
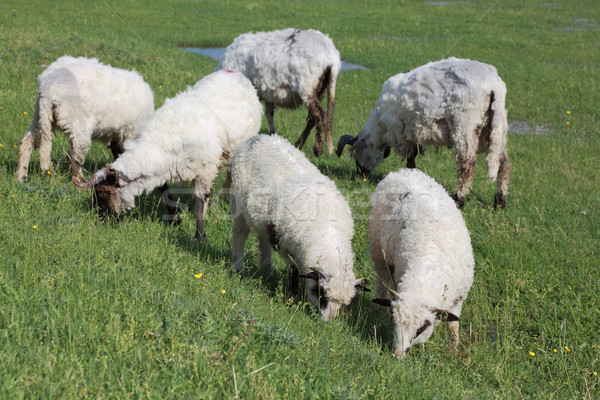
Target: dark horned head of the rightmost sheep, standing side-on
{"points": [[366, 154]]}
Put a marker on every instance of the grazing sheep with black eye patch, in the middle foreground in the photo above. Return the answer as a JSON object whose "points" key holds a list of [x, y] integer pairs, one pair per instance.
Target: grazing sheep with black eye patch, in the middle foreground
{"points": [[298, 211]]}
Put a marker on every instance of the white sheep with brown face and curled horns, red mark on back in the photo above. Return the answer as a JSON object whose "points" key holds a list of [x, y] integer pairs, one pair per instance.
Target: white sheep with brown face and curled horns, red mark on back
{"points": [[188, 139]]}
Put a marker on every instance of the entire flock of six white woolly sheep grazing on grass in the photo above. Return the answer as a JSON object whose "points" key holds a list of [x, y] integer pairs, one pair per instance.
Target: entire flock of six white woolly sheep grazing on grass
{"points": [[419, 242]]}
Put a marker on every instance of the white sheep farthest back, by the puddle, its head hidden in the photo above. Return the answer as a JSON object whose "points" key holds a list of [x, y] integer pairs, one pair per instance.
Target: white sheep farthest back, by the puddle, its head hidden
{"points": [[290, 67]]}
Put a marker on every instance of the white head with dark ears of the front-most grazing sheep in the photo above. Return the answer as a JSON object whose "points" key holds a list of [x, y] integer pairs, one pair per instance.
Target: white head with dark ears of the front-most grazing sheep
{"points": [[413, 323]]}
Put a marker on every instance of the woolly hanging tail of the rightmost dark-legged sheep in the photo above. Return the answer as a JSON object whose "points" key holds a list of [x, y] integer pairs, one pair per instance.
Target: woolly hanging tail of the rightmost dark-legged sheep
{"points": [[496, 126]]}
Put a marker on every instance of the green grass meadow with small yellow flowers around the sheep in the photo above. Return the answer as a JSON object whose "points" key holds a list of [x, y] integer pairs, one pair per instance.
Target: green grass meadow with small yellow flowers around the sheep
{"points": [[95, 310]]}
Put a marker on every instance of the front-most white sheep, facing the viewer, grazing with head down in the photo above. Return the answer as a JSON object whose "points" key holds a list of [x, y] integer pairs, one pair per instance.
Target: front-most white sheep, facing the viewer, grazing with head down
{"points": [[421, 253]]}
